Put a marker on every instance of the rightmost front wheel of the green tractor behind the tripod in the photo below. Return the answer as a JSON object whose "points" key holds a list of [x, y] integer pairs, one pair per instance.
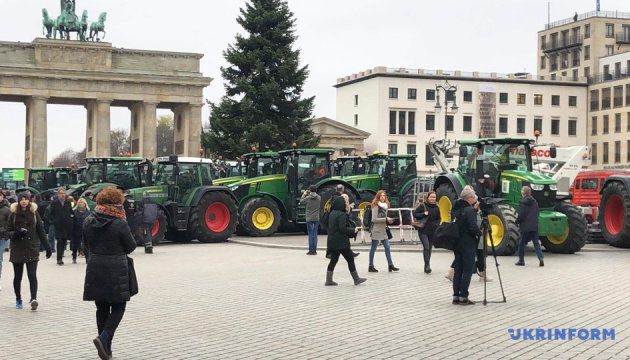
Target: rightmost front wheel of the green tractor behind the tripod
{"points": [[575, 235]]}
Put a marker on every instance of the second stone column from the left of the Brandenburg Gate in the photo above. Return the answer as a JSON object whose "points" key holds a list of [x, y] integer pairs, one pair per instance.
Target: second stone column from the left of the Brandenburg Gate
{"points": [[98, 137]]}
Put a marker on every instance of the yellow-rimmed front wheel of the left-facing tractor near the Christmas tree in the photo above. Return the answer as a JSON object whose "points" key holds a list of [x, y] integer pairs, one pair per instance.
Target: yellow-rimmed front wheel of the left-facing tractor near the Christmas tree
{"points": [[260, 217]]}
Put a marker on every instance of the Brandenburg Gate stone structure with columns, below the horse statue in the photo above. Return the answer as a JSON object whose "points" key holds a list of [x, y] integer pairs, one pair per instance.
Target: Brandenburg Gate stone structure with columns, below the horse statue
{"points": [[97, 75]]}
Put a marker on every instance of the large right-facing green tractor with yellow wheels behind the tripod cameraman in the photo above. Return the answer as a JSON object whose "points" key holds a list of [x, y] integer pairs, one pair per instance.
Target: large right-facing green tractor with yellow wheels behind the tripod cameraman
{"points": [[499, 168]]}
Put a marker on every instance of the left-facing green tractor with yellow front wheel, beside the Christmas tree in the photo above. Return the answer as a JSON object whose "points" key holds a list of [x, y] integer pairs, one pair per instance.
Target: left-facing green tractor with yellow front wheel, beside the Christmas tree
{"points": [[265, 201]]}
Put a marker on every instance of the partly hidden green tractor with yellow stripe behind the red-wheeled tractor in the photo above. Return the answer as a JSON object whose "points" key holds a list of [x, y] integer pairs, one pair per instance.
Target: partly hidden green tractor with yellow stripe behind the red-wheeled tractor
{"points": [[253, 165]]}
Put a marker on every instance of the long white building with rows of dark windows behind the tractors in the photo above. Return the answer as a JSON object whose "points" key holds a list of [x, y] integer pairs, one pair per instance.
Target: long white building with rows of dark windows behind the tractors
{"points": [[397, 106]]}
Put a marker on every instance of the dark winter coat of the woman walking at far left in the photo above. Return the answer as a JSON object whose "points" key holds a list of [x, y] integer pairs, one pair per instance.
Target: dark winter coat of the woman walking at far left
{"points": [[26, 249]]}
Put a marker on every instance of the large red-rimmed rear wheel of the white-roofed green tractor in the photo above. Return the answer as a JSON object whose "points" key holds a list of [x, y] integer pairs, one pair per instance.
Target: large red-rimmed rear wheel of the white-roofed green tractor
{"points": [[214, 218]]}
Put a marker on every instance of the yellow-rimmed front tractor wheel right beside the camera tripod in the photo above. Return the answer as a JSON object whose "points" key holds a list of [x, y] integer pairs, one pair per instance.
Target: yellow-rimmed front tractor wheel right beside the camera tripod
{"points": [[505, 234]]}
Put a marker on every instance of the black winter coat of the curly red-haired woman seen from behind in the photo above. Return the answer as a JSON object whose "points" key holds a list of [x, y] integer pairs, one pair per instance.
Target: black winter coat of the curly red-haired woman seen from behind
{"points": [[107, 240]]}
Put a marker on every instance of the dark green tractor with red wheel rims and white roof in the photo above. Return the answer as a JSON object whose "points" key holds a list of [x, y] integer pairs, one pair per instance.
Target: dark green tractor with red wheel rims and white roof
{"points": [[191, 206]]}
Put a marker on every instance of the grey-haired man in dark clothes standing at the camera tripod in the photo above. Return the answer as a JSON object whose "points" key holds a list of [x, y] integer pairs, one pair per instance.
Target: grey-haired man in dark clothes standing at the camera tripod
{"points": [[465, 248]]}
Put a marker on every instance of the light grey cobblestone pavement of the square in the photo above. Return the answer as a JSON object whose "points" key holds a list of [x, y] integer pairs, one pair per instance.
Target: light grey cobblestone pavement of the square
{"points": [[232, 301]]}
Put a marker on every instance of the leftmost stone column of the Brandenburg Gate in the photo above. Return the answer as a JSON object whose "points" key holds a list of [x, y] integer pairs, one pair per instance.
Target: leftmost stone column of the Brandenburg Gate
{"points": [[36, 141]]}
